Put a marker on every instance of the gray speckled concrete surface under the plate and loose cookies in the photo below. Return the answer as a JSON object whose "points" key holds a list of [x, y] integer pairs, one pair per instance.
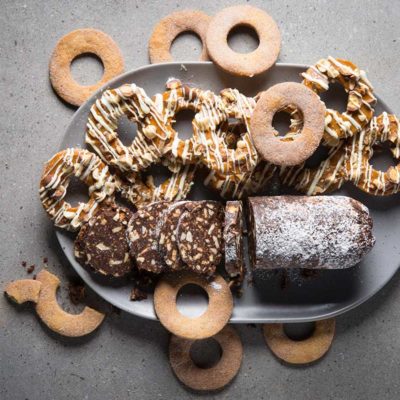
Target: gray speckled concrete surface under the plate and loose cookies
{"points": [[127, 357]]}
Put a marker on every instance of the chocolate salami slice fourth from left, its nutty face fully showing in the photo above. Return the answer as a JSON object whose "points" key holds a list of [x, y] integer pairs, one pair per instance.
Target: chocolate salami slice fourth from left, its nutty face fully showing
{"points": [[200, 237]]}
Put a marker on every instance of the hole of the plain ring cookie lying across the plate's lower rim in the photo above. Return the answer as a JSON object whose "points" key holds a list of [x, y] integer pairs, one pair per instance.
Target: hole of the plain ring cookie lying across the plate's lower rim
{"points": [[192, 301]]}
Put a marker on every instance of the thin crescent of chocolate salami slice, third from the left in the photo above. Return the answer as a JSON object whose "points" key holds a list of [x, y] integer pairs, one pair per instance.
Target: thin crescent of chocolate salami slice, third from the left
{"points": [[168, 244]]}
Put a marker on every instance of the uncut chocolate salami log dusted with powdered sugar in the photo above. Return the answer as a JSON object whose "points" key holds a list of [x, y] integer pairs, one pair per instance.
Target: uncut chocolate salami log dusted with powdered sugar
{"points": [[321, 232]]}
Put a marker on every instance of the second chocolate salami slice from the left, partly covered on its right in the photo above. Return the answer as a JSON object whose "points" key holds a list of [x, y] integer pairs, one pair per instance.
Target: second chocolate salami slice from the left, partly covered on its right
{"points": [[143, 236]]}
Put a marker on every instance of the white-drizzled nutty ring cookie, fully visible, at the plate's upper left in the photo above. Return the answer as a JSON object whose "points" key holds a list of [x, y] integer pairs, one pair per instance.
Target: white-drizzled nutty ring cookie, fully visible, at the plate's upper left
{"points": [[101, 133]]}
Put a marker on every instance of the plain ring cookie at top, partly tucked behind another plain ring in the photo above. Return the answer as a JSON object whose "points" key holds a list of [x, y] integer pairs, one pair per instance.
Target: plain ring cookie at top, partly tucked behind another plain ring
{"points": [[171, 26]]}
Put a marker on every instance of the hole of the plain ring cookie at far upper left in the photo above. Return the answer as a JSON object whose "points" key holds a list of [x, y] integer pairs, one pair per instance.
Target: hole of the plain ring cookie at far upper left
{"points": [[87, 69]]}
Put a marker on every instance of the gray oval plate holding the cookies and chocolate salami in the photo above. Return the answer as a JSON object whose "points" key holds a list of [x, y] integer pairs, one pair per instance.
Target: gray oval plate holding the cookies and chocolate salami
{"points": [[272, 299]]}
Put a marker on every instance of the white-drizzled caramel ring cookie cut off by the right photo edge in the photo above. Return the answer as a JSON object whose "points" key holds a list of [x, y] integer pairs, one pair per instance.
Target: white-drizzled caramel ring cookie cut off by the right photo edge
{"points": [[360, 150]]}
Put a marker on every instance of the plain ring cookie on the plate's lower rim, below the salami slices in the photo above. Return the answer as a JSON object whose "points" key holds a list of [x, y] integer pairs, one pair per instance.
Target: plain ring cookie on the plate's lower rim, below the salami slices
{"points": [[220, 305]]}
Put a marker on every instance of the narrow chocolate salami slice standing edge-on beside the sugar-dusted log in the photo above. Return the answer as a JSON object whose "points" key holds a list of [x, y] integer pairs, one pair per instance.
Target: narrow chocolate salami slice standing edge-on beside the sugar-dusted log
{"points": [[233, 241]]}
